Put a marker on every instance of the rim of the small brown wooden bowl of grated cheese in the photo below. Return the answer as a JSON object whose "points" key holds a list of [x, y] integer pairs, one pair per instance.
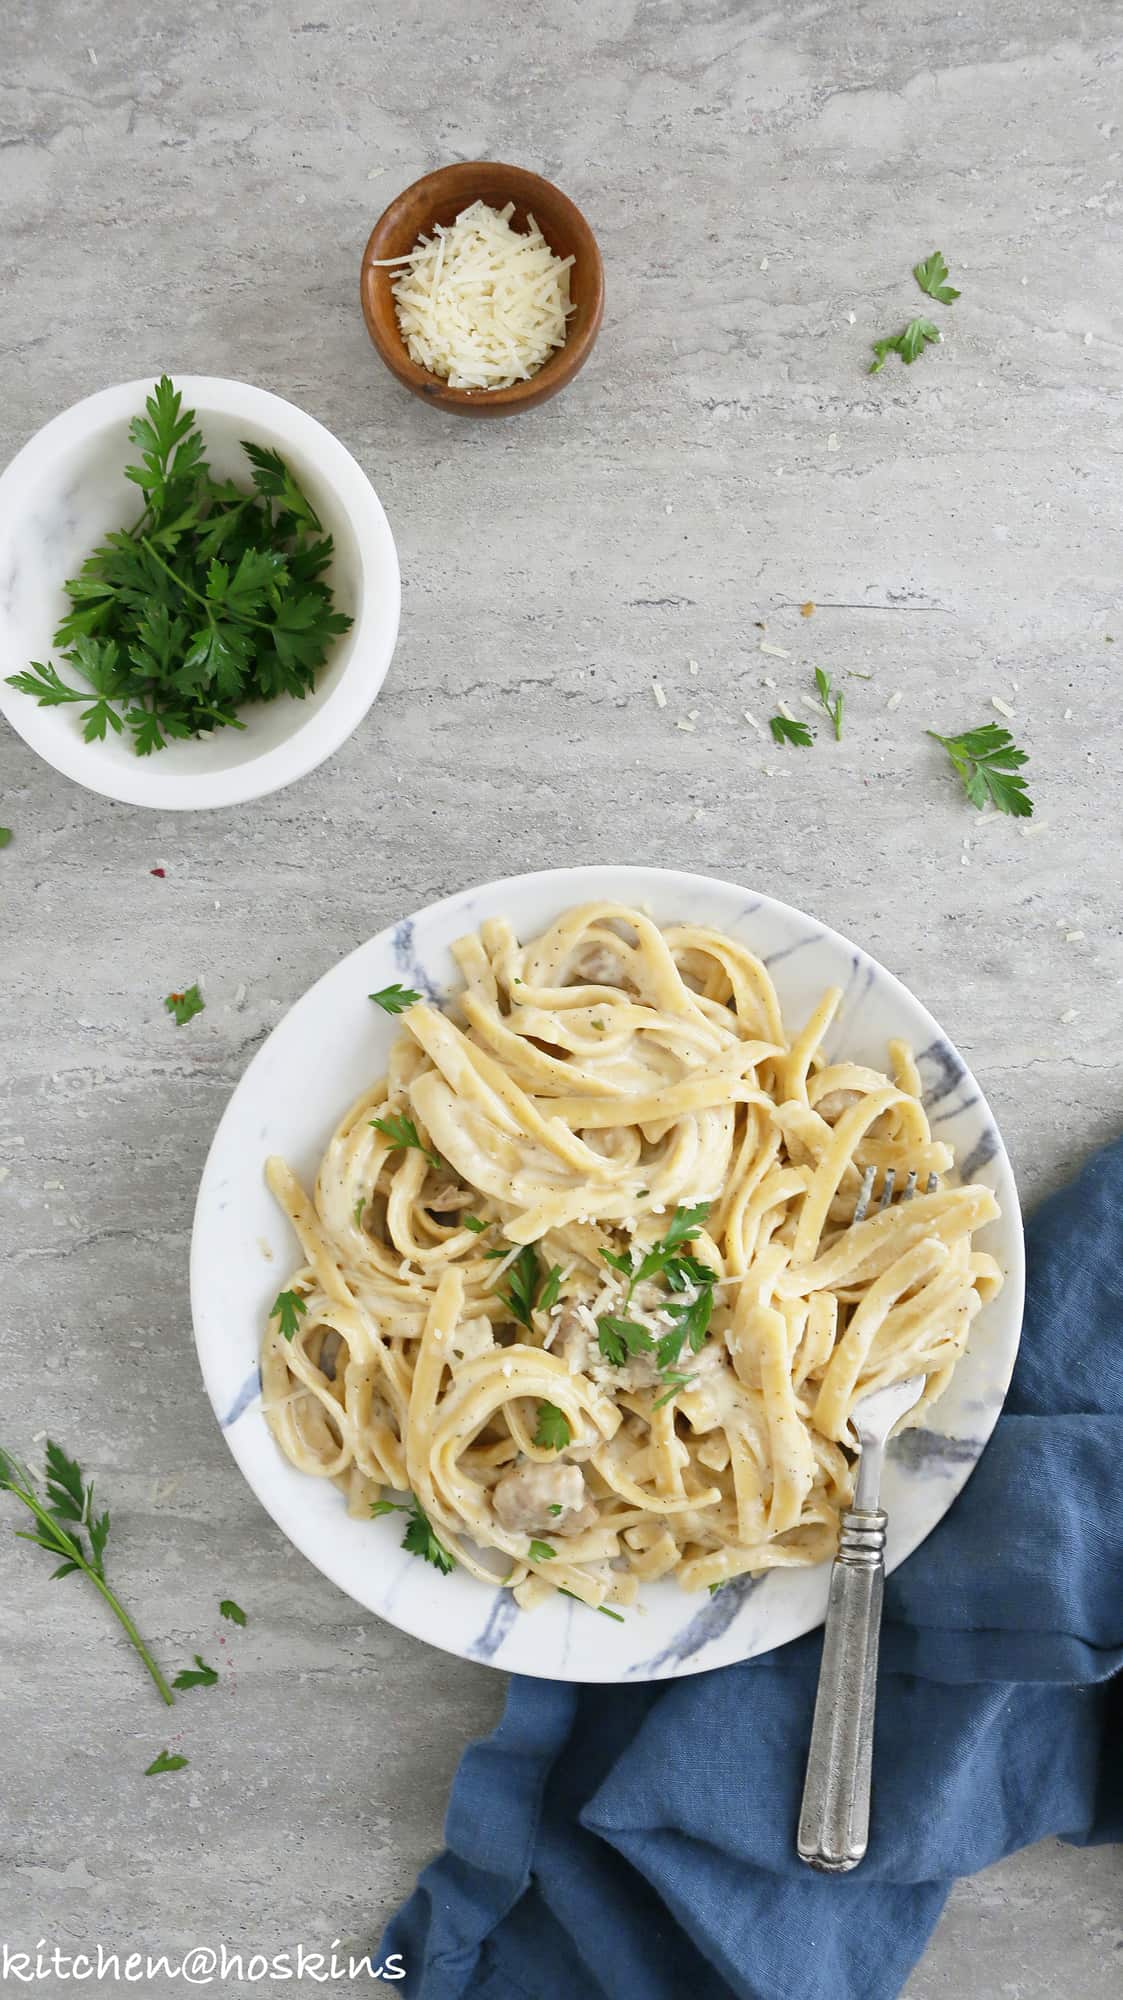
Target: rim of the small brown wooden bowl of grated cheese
{"points": [[555, 373]]}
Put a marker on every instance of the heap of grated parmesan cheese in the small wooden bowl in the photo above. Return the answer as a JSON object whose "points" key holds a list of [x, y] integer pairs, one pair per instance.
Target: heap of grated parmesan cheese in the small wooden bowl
{"points": [[483, 305]]}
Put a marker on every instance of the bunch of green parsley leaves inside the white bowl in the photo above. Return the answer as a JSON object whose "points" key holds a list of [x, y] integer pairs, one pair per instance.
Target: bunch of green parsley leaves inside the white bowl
{"points": [[217, 597]]}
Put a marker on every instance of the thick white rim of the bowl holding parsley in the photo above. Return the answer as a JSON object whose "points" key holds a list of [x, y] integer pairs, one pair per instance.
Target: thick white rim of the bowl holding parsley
{"points": [[373, 639]]}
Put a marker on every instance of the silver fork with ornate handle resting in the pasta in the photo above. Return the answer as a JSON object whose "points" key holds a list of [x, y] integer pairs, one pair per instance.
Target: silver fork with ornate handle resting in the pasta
{"points": [[834, 1819]]}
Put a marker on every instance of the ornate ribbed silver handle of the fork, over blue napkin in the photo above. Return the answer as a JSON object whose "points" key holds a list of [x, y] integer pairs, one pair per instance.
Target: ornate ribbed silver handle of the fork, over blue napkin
{"points": [[834, 1821]]}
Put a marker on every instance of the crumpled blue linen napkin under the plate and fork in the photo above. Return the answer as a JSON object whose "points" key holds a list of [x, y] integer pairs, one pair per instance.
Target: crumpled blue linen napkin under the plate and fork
{"points": [[638, 1843]]}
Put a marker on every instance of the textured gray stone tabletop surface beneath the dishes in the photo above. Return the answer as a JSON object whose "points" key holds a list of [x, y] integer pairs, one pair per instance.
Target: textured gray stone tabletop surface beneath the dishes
{"points": [[191, 189]]}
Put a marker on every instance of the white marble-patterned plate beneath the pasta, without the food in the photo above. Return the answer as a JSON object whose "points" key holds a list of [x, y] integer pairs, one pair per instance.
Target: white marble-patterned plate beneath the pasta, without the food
{"points": [[333, 1043]]}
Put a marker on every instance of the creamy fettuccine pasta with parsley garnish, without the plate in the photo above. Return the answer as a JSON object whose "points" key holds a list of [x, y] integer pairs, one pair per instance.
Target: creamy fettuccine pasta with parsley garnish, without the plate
{"points": [[582, 1277]]}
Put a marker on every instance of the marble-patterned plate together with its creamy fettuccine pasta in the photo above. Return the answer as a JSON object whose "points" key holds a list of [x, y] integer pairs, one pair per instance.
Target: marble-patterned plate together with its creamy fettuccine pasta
{"points": [[549, 1243]]}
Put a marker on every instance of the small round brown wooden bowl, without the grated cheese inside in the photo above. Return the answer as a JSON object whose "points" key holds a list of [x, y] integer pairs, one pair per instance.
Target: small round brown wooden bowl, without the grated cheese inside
{"points": [[439, 199]]}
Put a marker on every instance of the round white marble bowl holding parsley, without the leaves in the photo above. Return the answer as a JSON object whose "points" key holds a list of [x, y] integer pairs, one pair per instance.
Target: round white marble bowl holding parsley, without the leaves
{"points": [[67, 489]]}
